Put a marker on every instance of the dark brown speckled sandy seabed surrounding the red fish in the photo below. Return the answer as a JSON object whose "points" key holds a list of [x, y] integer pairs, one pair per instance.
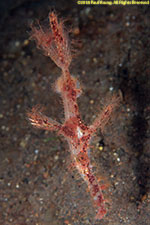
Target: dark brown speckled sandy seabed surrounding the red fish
{"points": [[38, 186]]}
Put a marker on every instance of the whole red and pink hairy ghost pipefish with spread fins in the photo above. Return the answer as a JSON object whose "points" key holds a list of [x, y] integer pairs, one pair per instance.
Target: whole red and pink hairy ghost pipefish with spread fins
{"points": [[55, 43]]}
